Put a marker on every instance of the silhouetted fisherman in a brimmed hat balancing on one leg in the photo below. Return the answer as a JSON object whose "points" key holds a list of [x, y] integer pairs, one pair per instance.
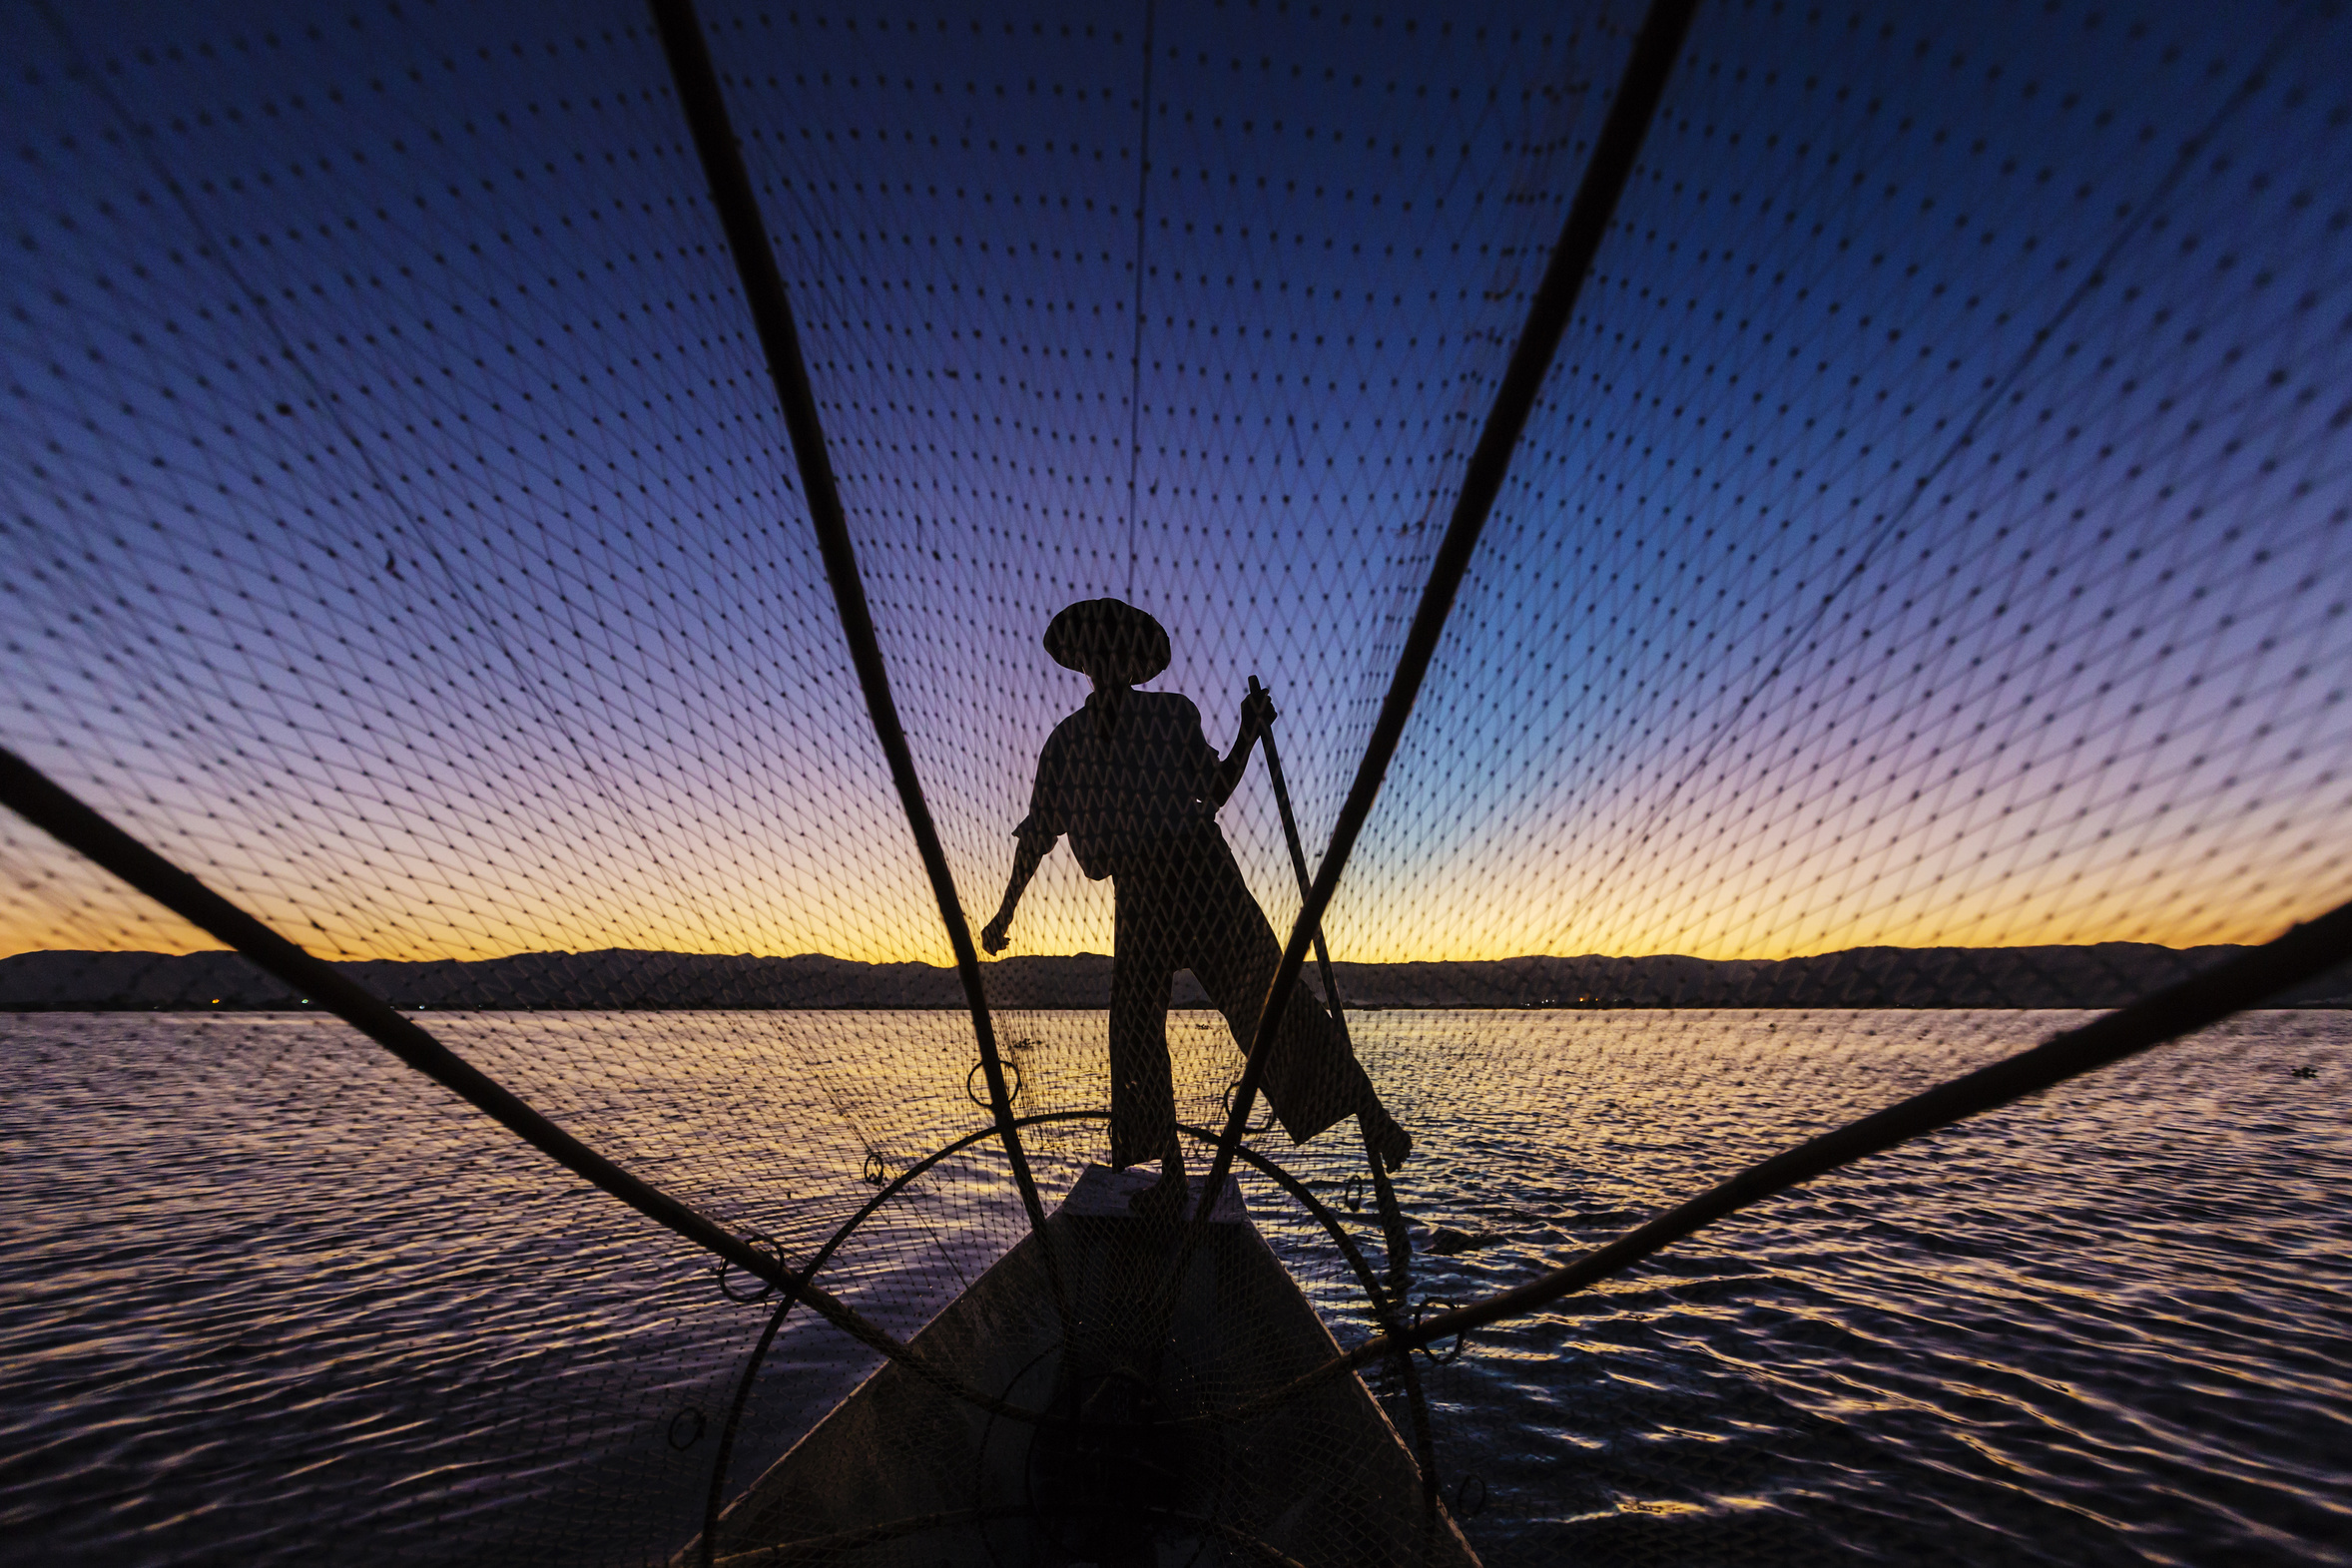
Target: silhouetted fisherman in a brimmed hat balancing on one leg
{"points": [[1135, 784]]}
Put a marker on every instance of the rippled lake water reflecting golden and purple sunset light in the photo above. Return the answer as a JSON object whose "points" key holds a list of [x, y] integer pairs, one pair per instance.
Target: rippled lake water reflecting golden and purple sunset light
{"points": [[265, 1296]]}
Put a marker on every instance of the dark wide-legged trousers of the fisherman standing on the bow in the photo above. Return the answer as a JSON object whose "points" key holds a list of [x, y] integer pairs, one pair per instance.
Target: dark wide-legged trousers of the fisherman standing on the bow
{"points": [[1182, 904]]}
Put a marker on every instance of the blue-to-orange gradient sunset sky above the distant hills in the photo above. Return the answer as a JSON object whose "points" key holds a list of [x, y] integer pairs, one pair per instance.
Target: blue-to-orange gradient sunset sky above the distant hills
{"points": [[1932, 530]]}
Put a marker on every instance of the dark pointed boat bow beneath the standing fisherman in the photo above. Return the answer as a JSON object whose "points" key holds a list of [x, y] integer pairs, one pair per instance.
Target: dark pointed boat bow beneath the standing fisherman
{"points": [[904, 1473]]}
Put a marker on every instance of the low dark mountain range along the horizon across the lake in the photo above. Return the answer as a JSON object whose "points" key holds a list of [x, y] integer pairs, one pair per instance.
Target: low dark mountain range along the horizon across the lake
{"points": [[2106, 974]]}
